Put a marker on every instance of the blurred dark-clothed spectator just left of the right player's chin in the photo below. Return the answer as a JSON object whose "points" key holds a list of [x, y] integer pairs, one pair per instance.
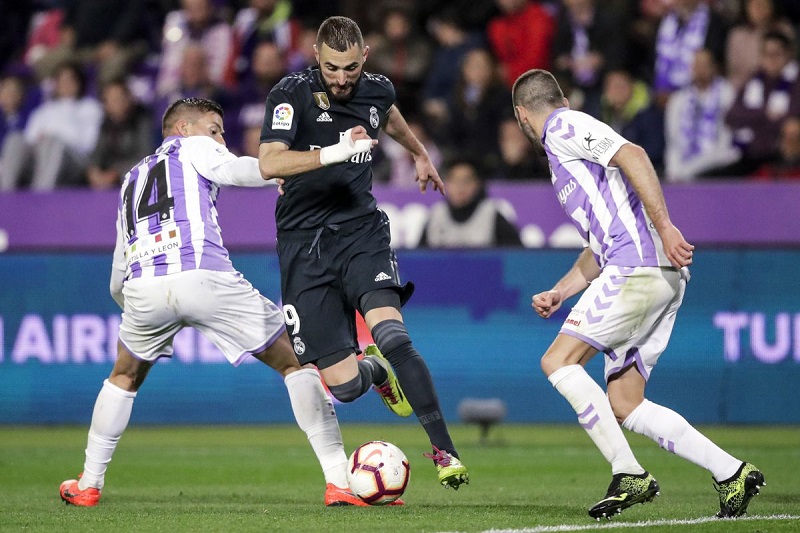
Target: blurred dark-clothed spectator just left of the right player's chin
{"points": [[518, 159]]}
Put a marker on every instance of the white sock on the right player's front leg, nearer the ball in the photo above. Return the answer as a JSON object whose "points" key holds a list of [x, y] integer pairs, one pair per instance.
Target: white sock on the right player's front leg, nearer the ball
{"points": [[595, 416]]}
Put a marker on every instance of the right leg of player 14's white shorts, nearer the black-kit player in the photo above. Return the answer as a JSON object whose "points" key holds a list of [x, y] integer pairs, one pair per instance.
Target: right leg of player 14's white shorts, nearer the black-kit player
{"points": [[230, 312]]}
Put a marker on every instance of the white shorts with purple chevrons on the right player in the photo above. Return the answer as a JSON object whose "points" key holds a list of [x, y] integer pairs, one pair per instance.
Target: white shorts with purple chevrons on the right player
{"points": [[628, 314]]}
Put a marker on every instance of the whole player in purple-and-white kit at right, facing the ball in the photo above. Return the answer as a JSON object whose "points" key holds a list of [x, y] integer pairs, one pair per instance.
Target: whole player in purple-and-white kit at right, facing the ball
{"points": [[633, 273]]}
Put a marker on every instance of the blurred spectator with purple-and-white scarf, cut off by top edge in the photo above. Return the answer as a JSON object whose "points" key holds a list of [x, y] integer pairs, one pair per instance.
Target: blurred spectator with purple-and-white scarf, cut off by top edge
{"points": [[689, 26]]}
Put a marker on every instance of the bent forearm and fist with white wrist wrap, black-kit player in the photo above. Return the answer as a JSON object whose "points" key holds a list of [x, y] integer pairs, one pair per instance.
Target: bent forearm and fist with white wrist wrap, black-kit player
{"points": [[275, 160]]}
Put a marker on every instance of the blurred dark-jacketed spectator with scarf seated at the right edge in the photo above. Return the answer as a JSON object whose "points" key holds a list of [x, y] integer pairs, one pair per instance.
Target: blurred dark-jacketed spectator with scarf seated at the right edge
{"points": [[762, 104]]}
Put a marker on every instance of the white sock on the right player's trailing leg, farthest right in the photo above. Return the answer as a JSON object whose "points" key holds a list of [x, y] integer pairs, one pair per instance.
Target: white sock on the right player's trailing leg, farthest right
{"points": [[673, 433]]}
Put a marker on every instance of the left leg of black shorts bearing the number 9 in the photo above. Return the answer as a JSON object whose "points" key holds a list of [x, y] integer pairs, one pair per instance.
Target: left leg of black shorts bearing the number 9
{"points": [[319, 320]]}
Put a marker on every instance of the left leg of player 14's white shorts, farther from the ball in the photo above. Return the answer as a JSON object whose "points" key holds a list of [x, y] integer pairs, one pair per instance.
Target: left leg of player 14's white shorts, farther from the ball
{"points": [[150, 319]]}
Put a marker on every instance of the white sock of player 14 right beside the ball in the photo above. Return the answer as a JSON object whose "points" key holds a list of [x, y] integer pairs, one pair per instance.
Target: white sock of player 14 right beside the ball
{"points": [[315, 415]]}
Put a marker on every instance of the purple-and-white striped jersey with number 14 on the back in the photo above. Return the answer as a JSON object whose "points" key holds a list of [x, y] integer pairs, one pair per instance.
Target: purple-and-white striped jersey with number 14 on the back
{"points": [[167, 215]]}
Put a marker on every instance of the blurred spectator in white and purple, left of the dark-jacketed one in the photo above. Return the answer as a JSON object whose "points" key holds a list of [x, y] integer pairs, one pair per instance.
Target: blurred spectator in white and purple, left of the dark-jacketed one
{"points": [[698, 140]]}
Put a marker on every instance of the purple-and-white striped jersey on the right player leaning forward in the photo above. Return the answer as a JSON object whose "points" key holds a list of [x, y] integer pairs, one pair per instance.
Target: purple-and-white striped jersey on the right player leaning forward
{"points": [[599, 198]]}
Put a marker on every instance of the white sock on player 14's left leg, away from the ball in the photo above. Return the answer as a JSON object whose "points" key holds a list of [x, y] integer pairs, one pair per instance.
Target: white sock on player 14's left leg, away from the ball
{"points": [[110, 417]]}
